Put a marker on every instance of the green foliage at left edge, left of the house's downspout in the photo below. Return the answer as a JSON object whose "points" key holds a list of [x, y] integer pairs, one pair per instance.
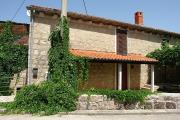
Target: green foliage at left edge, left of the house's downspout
{"points": [[13, 58]]}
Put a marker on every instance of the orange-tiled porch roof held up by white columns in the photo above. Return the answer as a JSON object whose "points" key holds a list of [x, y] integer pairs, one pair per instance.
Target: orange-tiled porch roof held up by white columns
{"points": [[94, 55]]}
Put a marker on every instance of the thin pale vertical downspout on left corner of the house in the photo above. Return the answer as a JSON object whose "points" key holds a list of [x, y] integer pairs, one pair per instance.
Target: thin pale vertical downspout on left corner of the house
{"points": [[29, 80]]}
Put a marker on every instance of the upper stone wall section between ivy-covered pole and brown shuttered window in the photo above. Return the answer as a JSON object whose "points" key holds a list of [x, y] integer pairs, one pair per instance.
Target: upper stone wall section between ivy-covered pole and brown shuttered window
{"points": [[87, 36]]}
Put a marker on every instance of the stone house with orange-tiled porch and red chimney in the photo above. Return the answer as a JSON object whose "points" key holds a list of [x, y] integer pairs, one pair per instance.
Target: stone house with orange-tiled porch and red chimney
{"points": [[116, 49]]}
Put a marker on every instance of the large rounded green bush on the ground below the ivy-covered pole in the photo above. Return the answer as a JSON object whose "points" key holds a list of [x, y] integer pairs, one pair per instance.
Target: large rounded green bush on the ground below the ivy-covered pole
{"points": [[47, 98]]}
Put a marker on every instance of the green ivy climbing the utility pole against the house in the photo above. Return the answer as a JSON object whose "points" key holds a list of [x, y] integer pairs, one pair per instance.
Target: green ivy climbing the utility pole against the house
{"points": [[63, 66]]}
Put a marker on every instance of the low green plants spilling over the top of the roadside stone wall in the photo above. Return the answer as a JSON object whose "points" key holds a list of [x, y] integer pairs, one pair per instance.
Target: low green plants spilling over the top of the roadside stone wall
{"points": [[126, 96]]}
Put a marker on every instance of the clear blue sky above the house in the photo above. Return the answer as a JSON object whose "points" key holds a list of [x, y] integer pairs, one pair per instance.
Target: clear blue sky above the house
{"points": [[161, 14]]}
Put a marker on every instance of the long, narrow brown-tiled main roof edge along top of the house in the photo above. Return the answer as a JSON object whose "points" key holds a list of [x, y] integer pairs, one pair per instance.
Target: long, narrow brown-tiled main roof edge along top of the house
{"points": [[105, 21]]}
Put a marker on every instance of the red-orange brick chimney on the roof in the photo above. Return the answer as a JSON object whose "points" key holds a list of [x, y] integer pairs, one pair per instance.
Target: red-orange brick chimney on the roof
{"points": [[139, 18]]}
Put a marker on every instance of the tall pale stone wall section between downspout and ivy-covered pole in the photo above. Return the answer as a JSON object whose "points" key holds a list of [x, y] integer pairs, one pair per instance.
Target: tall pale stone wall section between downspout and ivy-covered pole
{"points": [[40, 46]]}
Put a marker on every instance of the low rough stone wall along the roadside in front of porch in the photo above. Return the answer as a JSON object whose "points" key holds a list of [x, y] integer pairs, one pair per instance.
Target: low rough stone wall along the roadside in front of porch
{"points": [[100, 102]]}
